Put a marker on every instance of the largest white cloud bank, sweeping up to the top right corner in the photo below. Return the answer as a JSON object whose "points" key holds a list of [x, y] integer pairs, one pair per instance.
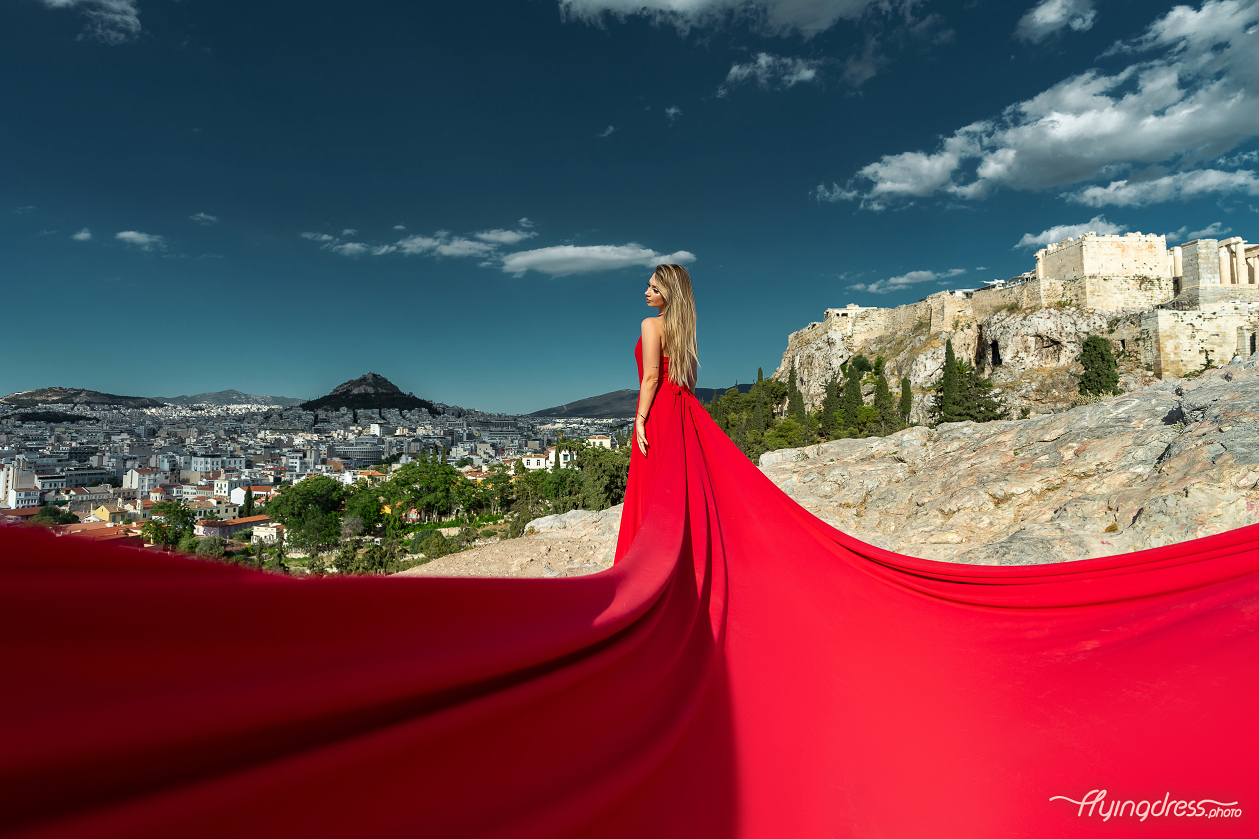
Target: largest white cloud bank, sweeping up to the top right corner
{"points": [[1189, 104]]}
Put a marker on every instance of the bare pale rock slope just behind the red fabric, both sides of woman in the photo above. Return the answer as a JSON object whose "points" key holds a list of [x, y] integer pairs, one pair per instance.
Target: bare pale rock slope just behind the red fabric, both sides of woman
{"points": [[1160, 465]]}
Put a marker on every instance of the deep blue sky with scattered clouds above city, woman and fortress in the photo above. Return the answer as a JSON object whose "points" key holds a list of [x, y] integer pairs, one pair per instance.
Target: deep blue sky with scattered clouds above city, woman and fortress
{"points": [[468, 197]]}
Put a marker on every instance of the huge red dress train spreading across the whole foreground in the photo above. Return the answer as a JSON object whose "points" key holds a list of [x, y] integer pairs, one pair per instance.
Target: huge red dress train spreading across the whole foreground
{"points": [[743, 671]]}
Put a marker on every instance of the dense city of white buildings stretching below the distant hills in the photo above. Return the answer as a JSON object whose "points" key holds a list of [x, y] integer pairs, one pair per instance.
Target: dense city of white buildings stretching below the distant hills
{"points": [[110, 465]]}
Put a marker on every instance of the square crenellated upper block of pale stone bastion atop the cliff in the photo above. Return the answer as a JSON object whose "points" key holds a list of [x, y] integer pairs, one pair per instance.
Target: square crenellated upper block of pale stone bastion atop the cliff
{"points": [[1119, 256]]}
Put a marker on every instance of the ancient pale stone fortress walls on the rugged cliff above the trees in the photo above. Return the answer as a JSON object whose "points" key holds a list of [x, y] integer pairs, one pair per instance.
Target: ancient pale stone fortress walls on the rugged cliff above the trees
{"points": [[1166, 312]]}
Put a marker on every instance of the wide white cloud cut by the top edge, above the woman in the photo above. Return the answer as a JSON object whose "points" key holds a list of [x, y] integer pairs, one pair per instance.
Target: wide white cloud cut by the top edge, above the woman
{"points": [[770, 17]]}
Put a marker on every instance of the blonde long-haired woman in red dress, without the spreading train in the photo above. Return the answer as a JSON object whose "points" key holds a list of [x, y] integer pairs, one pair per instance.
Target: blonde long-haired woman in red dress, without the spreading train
{"points": [[668, 365]]}
